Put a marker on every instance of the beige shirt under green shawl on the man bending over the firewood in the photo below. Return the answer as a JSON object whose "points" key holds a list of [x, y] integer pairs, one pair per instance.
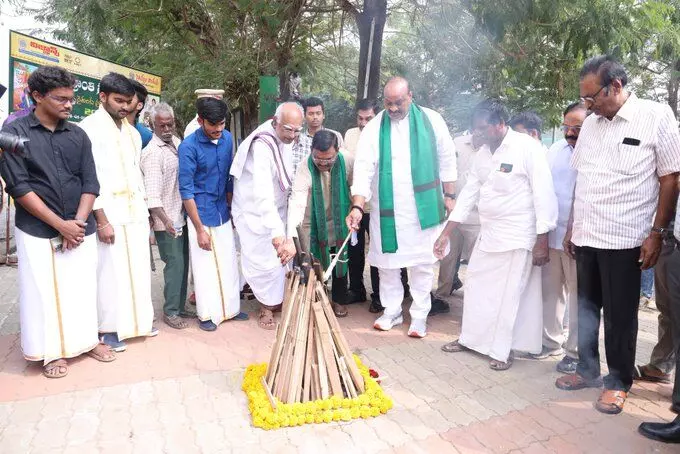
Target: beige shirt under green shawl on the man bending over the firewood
{"points": [[301, 198]]}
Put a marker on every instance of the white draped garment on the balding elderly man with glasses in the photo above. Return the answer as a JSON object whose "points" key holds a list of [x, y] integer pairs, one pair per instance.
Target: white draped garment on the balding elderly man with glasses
{"points": [[259, 209]]}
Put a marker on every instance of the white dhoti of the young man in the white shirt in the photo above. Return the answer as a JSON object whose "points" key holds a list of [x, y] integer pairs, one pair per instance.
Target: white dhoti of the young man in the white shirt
{"points": [[124, 282]]}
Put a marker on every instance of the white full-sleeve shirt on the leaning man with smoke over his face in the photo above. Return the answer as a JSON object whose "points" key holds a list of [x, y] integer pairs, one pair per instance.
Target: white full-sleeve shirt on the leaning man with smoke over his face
{"points": [[513, 191]]}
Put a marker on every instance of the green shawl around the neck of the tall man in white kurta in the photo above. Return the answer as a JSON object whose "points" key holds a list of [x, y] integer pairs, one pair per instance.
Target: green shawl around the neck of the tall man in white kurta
{"points": [[427, 187]]}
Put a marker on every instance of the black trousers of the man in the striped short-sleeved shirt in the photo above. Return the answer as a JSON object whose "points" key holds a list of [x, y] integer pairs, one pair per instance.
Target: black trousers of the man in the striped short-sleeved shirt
{"points": [[608, 281]]}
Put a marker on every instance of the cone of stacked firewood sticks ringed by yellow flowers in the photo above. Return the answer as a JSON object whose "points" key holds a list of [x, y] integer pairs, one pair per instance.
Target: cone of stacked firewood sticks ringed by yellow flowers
{"points": [[310, 359]]}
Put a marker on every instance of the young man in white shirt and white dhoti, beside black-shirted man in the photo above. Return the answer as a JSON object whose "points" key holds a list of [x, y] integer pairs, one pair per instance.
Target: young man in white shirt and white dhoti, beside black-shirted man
{"points": [[123, 274]]}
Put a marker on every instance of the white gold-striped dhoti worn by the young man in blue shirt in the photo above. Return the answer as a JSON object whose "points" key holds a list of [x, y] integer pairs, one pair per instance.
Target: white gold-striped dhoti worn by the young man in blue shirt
{"points": [[216, 276]]}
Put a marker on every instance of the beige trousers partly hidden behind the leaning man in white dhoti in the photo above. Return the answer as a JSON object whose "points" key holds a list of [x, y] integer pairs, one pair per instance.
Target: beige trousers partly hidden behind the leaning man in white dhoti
{"points": [[462, 240]]}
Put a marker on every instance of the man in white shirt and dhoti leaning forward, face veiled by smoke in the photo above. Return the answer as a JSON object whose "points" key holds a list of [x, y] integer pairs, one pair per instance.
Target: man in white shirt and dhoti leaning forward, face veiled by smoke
{"points": [[511, 185]]}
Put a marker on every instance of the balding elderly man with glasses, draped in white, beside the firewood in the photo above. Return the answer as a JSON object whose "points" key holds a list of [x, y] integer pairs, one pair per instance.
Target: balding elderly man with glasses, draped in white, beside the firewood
{"points": [[262, 182]]}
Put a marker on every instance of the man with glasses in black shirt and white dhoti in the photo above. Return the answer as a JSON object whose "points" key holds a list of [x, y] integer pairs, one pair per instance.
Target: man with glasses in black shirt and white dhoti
{"points": [[55, 184]]}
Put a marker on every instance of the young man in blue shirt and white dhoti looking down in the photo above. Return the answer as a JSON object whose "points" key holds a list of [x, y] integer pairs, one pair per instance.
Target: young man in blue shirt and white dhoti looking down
{"points": [[204, 161]]}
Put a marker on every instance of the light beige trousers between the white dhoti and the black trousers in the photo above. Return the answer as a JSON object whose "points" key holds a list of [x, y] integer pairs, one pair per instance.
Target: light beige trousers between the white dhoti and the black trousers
{"points": [[559, 292]]}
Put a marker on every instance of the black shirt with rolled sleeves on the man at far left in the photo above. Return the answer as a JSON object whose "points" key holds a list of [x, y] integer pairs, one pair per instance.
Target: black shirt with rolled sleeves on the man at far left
{"points": [[57, 166]]}
